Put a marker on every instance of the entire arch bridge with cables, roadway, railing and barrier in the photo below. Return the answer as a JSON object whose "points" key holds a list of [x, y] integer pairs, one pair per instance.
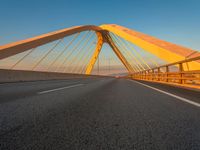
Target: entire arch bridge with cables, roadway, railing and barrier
{"points": [[99, 87]]}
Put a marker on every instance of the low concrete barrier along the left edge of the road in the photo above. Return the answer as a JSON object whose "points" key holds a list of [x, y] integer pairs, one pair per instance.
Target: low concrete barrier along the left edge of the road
{"points": [[21, 75]]}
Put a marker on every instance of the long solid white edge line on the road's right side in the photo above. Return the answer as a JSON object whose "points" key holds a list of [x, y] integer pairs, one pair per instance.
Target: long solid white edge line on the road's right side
{"points": [[170, 94]]}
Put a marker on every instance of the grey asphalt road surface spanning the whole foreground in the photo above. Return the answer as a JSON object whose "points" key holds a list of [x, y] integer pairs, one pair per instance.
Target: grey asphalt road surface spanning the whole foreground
{"points": [[97, 114]]}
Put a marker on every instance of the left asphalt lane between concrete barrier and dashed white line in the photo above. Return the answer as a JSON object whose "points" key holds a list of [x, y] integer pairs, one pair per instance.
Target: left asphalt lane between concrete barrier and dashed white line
{"points": [[13, 91]]}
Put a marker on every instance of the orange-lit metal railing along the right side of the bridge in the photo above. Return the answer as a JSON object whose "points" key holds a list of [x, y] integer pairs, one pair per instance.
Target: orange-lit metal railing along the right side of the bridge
{"points": [[172, 75]]}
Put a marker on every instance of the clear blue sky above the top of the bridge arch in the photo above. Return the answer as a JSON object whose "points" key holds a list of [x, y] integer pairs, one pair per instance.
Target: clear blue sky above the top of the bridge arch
{"points": [[177, 21]]}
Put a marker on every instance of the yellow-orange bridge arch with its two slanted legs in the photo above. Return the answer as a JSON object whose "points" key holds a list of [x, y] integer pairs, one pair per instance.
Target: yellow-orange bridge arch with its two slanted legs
{"points": [[164, 50]]}
